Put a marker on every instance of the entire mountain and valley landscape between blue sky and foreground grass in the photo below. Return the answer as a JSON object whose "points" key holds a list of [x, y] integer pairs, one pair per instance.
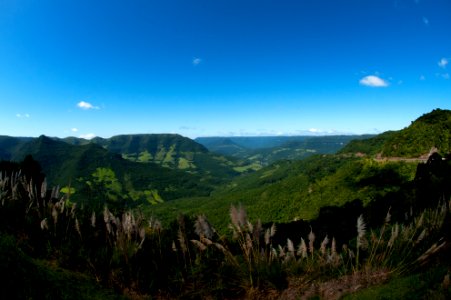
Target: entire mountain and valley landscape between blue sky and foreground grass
{"points": [[210, 173]]}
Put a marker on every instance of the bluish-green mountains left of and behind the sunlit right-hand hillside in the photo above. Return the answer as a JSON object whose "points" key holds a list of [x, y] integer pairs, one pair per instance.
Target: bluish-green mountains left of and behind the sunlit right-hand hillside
{"points": [[169, 165]]}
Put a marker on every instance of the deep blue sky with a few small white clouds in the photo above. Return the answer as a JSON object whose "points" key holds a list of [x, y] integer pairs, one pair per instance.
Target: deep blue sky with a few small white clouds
{"points": [[223, 67]]}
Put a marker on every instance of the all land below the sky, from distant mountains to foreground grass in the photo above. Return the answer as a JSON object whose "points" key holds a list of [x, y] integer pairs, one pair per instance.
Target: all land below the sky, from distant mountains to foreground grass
{"points": [[133, 216]]}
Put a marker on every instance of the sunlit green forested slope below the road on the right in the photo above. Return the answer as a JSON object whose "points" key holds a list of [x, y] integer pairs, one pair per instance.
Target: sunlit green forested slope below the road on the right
{"points": [[294, 190]]}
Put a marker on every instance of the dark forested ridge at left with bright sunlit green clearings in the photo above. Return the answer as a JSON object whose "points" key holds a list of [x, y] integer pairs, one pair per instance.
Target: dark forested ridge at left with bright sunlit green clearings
{"points": [[90, 166]]}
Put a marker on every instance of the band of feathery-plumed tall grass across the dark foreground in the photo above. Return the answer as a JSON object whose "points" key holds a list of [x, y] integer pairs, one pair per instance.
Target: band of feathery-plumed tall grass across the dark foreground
{"points": [[135, 255]]}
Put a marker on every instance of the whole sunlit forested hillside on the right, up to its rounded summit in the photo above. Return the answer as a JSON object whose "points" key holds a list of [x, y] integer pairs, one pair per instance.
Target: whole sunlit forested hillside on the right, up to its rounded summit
{"points": [[297, 189]]}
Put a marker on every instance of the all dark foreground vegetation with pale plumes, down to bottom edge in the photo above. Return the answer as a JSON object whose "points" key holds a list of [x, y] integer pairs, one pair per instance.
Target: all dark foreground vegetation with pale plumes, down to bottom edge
{"points": [[61, 245]]}
